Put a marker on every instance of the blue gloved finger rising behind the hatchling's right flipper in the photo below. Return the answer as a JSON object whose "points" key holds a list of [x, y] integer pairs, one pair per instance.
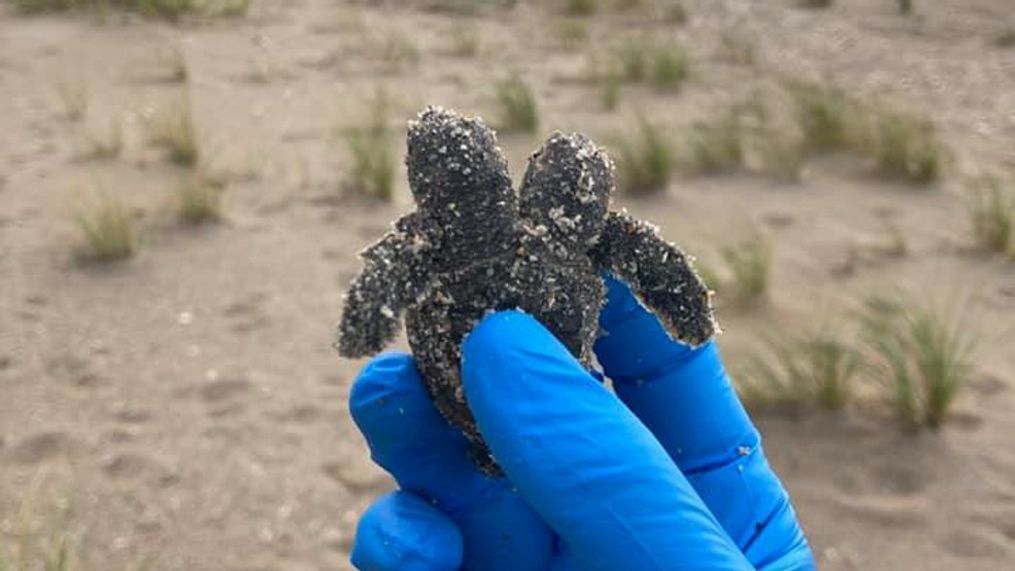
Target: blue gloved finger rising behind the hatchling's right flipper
{"points": [[688, 401]]}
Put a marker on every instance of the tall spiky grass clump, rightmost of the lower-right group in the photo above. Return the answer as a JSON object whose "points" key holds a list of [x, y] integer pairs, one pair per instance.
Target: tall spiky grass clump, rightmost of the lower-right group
{"points": [[924, 355]]}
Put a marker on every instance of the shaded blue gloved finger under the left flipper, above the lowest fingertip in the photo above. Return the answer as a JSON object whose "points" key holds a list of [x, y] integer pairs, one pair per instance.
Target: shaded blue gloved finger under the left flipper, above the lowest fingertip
{"points": [[427, 456]]}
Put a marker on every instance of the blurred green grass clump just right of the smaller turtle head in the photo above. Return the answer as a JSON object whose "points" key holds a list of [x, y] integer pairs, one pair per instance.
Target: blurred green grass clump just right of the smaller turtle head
{"points": [[645, 161]]}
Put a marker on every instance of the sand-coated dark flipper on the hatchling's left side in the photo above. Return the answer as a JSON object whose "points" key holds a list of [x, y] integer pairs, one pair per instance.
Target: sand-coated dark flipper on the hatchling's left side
{"points": [[396, 272]]}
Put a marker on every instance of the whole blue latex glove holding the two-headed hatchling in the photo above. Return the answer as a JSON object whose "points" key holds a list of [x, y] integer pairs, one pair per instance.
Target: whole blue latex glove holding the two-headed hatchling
{"points": [[666, 473]]}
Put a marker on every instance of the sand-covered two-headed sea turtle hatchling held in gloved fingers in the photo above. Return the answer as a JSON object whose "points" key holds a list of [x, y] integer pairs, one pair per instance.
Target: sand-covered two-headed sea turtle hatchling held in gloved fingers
{"points": [[475, 246]]}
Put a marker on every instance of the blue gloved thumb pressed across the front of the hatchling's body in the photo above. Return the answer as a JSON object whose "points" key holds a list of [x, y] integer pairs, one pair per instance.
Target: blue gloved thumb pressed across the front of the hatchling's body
{"points": [[581, 459]]}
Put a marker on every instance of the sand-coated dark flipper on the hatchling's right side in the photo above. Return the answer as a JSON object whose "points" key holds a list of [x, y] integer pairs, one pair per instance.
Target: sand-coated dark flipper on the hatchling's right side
{"points": [[660, 275]]}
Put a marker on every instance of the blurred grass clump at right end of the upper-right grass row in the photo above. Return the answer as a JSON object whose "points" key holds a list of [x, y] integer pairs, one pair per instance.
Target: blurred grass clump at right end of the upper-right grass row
{"points": [[906, 147]]}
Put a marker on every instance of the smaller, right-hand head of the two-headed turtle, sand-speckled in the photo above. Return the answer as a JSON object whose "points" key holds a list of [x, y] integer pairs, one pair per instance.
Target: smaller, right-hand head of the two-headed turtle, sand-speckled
{"points": [[567, 190]]}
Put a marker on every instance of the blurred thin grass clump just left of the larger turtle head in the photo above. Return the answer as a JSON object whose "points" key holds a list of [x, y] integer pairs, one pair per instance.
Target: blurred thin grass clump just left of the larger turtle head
{"points": [[374, 165]]}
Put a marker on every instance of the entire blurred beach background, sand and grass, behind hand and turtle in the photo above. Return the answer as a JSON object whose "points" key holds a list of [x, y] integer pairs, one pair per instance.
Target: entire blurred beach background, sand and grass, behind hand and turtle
{"points": [[185, 185]]}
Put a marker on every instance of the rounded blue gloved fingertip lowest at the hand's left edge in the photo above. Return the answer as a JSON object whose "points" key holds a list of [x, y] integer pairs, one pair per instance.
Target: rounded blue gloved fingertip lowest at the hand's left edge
{"points": [[401, 532]]}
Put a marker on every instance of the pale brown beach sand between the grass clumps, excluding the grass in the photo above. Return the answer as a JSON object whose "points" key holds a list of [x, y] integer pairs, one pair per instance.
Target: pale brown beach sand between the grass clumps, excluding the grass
{"points": [[186, 404]]}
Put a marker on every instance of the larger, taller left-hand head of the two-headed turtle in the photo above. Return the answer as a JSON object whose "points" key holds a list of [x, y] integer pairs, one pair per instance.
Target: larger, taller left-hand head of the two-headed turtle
{"points": [[456, 169]]}
